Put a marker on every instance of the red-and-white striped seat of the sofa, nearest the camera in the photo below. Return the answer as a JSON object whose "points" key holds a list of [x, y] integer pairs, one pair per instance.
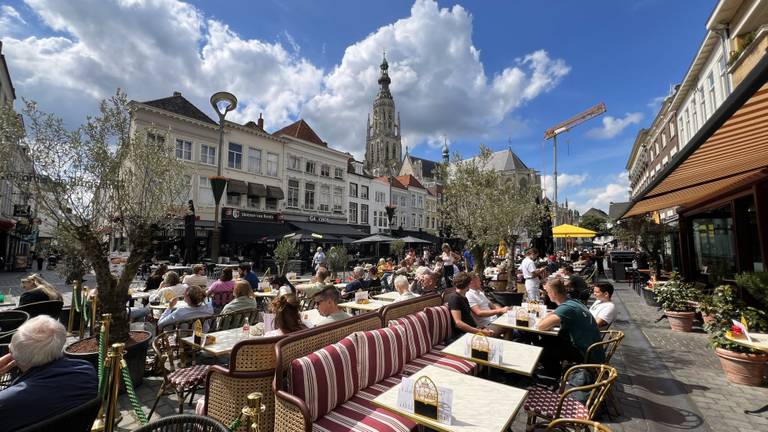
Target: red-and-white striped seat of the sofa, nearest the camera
{"points": [[360, 415]]}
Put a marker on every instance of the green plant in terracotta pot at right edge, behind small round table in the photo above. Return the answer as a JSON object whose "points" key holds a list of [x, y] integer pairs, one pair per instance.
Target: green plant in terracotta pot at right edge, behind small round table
{"points": [[740, 364]]}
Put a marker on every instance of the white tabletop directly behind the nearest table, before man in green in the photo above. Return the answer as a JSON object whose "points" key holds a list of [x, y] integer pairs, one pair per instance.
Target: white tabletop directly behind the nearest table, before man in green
{"points": [[516, 357]]}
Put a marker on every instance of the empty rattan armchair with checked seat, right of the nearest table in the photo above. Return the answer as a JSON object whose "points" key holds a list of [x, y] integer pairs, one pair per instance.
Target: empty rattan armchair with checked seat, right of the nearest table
{"points": [[551, 405]]}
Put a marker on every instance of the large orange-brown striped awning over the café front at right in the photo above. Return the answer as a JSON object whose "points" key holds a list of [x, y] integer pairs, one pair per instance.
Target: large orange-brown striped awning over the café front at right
{"points": [[730, 150]]}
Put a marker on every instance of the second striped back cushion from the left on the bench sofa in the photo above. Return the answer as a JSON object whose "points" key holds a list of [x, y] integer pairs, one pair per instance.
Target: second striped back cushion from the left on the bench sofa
{"points": [[380, 354]]}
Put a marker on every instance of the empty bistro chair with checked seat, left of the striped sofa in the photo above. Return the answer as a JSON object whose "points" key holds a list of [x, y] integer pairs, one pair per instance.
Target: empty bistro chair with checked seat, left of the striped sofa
{"points": [[184, 381]]}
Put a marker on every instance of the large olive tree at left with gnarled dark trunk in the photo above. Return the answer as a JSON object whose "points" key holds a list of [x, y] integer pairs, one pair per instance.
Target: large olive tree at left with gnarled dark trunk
{"points": [[100, 181]]}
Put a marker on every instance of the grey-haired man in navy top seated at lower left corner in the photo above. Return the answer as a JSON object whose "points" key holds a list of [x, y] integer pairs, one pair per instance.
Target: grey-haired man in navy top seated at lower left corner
{"points": [[50, 383]]}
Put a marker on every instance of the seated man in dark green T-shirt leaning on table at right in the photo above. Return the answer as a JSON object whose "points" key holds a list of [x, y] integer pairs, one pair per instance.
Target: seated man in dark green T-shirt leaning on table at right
{"points": [[578, 330]]}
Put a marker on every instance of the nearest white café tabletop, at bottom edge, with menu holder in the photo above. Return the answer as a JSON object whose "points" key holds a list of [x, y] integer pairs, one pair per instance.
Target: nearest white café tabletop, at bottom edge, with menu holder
{"points": [[476, 402]]}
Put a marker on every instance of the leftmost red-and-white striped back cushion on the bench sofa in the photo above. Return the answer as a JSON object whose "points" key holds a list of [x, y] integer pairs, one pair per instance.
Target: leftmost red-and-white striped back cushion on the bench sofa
{"points": [[326, 378]]}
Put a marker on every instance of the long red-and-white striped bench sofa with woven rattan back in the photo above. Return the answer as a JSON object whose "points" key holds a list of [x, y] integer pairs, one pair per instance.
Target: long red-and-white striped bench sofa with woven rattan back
{"points": [[330, 387]]}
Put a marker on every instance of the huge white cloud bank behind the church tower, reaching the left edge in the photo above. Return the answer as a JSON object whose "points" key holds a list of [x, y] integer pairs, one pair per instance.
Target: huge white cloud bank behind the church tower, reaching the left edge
{"points": [[438, 80]]}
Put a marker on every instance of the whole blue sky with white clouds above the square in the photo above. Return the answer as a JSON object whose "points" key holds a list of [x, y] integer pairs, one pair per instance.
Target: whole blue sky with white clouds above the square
{"points": [[474, 71]]}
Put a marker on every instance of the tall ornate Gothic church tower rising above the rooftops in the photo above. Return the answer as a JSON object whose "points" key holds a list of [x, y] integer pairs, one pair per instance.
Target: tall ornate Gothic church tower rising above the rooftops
{"points": [[383, 151]]}
